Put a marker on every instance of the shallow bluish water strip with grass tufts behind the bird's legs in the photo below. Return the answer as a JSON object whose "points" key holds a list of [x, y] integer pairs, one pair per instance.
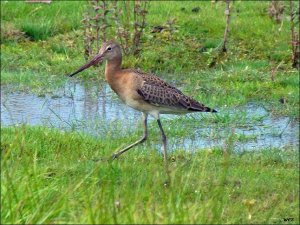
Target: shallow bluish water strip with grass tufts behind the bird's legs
{"points": [[97, 110]]}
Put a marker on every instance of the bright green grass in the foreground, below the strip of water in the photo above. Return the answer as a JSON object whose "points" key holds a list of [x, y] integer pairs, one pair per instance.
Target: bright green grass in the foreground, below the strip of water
{"points": [[49, 176]]}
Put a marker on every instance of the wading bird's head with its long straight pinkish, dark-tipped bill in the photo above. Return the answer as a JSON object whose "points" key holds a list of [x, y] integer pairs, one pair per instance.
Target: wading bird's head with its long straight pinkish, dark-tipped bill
{"points": [[110, 50]]}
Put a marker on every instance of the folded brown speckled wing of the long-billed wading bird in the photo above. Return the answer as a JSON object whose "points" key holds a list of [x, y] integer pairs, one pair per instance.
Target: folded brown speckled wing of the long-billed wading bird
{"points": [[169, 97]]}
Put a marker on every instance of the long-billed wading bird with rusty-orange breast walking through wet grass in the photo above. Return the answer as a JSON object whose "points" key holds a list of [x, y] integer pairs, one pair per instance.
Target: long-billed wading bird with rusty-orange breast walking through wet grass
{"points": [[143, 92]]}
